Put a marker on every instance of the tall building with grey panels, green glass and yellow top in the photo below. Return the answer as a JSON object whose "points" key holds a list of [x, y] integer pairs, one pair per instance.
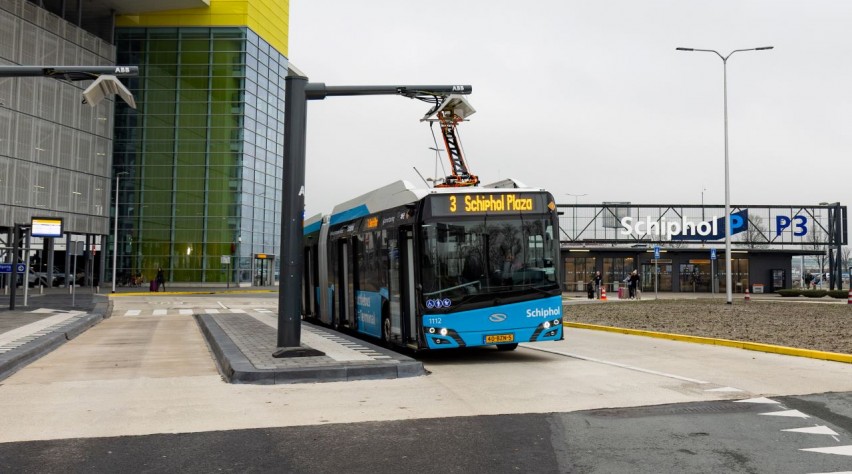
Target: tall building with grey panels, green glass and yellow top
{"points": [[197, 163]]}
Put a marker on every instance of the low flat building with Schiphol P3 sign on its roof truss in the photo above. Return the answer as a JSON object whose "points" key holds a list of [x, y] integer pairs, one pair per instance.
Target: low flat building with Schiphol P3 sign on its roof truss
{"points": [[684, 246]]}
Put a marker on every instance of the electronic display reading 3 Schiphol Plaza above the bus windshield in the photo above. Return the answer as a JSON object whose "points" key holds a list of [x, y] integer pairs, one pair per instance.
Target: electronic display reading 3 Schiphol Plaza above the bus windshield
{"points": [[486, 203]]}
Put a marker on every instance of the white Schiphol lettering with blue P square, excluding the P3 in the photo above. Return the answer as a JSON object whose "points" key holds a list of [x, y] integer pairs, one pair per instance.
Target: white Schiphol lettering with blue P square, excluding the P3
{"points": [[685, 229]]}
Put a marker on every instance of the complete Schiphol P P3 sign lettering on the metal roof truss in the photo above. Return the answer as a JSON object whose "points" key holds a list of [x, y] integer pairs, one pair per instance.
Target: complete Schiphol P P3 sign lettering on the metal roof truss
{"points": [[685, 229]]}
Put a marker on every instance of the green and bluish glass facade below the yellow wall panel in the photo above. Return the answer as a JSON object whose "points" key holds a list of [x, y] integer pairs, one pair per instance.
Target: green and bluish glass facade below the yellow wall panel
{"points": [[202, 154]]}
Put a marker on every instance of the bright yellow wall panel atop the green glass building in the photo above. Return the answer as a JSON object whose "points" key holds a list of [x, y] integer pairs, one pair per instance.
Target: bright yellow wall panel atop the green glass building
{"points": [[268, 18]]}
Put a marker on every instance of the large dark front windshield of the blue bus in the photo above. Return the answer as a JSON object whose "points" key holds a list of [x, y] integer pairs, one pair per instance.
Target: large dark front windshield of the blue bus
{"points": [[509, 256]]}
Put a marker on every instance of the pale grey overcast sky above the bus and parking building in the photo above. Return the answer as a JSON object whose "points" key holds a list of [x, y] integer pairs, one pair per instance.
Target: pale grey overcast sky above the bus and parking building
{"points": [[587, 97]]}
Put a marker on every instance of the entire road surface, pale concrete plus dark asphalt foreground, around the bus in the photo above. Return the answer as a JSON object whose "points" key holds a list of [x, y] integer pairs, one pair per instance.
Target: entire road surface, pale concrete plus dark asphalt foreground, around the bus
{"points": [[141, 394]]}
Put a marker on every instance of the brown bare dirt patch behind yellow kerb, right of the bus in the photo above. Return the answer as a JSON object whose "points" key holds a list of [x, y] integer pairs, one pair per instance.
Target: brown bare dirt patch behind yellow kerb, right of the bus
{"points": [[805, 324]]}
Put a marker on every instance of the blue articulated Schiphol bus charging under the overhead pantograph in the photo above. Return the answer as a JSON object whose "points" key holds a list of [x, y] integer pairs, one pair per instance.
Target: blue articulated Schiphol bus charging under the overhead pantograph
{"points": [[437, 268]]}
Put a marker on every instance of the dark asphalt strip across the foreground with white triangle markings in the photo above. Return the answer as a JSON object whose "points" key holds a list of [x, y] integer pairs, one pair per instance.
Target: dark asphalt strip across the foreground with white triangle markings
{"points": [[721, 436]]}
